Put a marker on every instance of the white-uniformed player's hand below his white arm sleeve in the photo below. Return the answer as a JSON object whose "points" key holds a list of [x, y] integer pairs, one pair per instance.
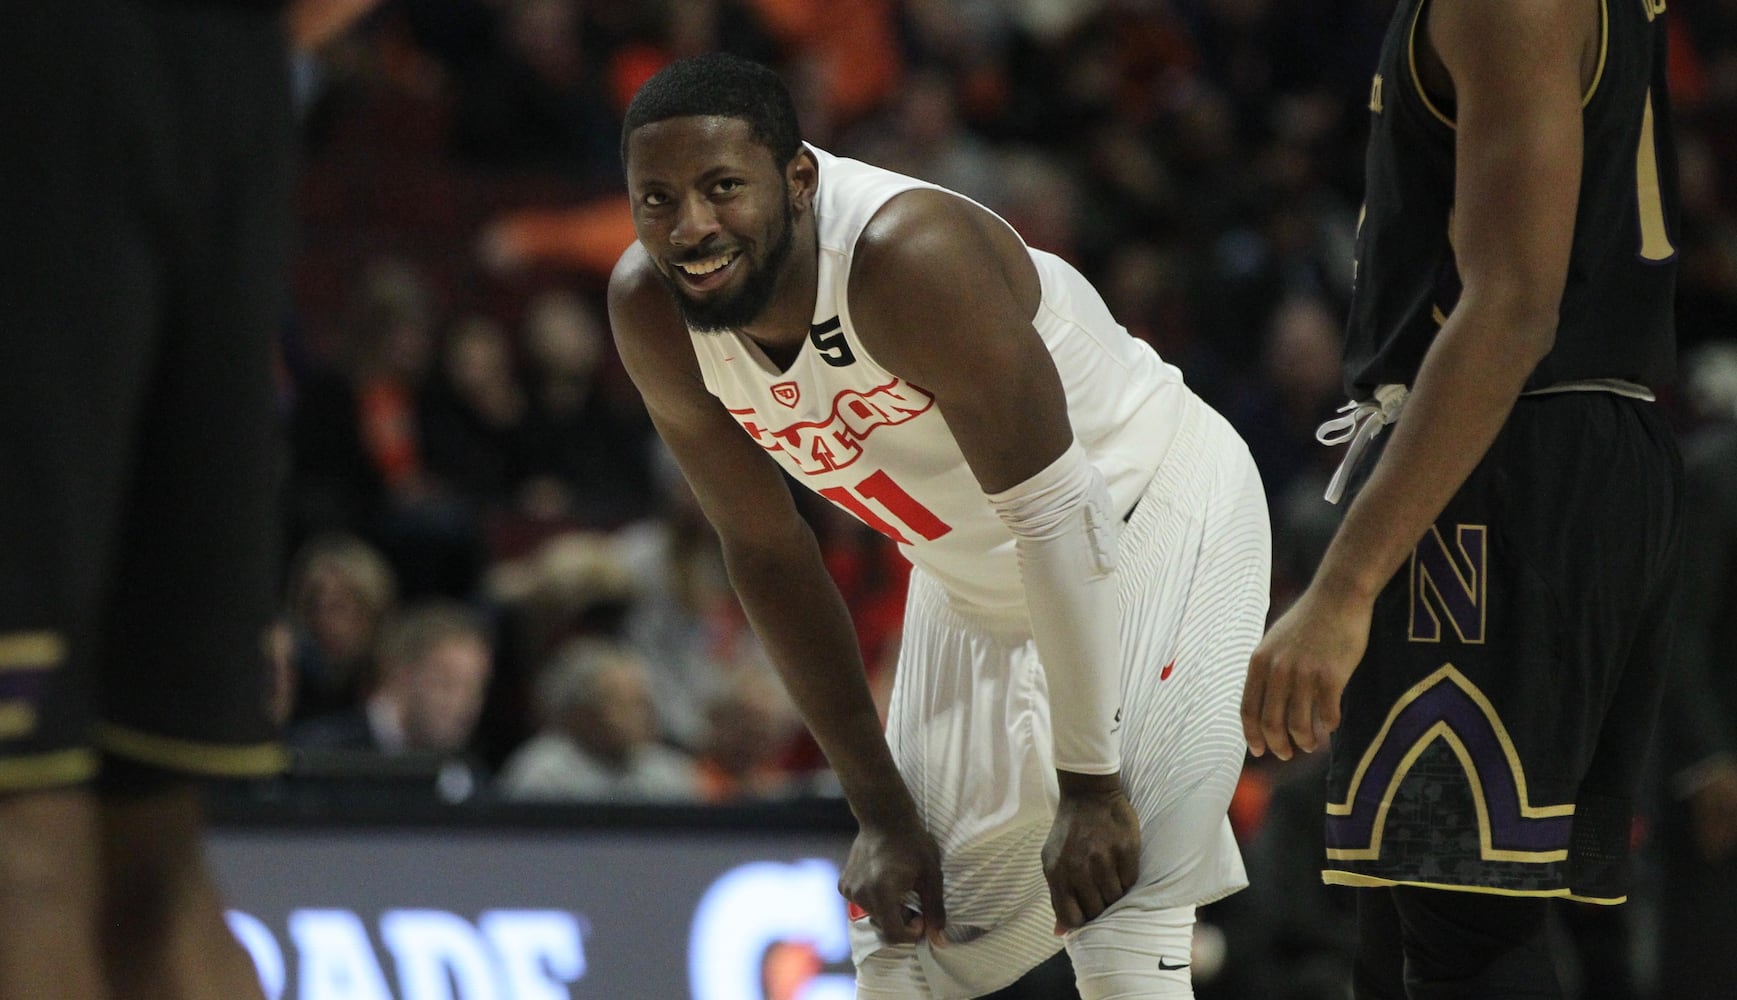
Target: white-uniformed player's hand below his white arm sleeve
{"points": [[1093, 853]]}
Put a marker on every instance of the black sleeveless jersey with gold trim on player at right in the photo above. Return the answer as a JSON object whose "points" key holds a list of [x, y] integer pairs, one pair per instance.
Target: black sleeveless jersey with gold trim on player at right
{"points": [[1616, 308]]}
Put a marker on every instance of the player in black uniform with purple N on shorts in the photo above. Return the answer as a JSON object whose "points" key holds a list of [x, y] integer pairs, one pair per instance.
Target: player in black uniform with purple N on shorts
{"points": [[1500, 582]]}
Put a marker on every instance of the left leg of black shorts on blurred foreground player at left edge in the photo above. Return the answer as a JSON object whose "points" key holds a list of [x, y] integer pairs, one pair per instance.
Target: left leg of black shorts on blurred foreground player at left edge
{"points": [[81, 298]]}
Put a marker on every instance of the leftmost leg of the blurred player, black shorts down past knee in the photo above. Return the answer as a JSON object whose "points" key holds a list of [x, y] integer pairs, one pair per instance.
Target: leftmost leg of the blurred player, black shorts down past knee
{"points": [[79, 294]]}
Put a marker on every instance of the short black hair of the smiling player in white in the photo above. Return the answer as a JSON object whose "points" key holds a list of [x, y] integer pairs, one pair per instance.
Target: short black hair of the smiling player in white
{"points": [[723, 86]]}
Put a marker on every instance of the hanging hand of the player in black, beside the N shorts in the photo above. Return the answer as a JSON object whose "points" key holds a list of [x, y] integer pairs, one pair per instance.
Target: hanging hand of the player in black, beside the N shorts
{"points": [[1300, 671]]}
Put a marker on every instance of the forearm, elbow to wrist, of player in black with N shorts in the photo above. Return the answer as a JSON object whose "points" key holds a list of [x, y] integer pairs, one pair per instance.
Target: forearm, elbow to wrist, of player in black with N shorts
{"points": [[1463, 395]]}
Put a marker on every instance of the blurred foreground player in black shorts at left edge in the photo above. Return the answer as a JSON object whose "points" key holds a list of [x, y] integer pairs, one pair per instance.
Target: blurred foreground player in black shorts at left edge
{"points": [[145, 204]]}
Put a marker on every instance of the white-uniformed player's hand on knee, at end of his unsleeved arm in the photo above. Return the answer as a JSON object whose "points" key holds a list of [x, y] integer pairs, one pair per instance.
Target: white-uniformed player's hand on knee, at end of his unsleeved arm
{"points": [[895, 876]]}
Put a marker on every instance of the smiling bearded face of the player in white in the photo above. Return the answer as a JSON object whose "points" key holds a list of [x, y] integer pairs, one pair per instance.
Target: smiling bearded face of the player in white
{"points": [[713, 209]]}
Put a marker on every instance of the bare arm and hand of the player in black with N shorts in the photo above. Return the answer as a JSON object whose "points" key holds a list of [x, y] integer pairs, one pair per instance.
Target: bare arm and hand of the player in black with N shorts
{"points": [[1516, 76]]}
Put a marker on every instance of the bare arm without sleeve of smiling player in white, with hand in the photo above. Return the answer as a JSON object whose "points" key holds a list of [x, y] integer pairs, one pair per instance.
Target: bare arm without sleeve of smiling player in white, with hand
{"points": [[784, 588]]}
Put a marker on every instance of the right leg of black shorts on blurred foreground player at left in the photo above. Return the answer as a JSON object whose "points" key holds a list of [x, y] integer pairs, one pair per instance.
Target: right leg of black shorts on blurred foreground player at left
{"points": [[199, 549]]}
